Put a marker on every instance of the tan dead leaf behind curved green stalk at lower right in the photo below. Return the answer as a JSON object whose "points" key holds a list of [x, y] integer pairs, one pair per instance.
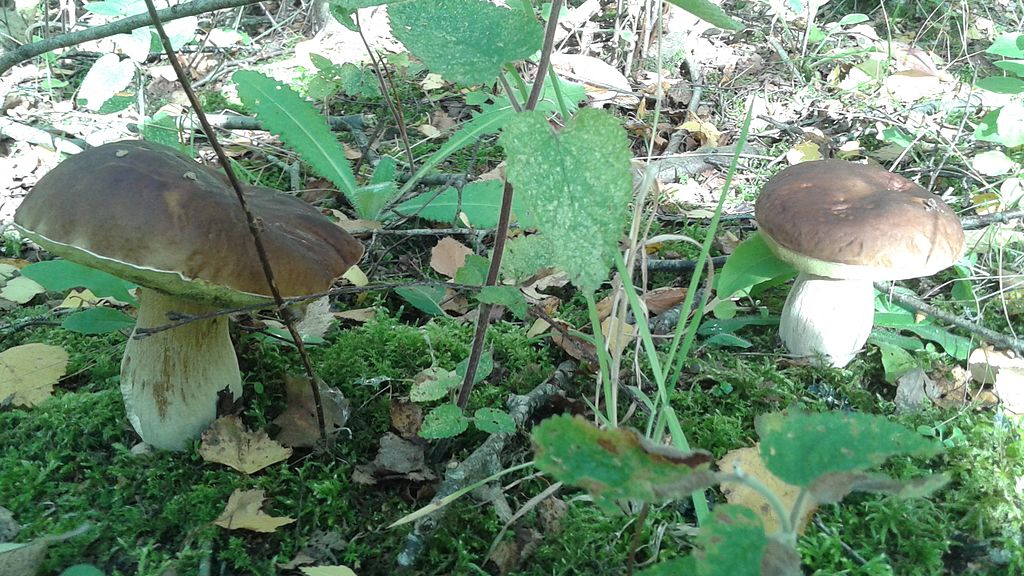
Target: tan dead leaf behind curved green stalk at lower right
{"points": [[749, 461]]}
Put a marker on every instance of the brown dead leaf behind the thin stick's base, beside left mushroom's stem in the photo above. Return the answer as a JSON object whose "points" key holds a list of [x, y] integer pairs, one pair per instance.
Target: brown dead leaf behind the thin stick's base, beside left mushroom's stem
{"points": [[298, 422]]}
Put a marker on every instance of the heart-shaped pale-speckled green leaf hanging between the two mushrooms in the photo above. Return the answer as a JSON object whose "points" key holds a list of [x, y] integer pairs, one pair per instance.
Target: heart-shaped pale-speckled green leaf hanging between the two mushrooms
{"points": [[577, 186]]}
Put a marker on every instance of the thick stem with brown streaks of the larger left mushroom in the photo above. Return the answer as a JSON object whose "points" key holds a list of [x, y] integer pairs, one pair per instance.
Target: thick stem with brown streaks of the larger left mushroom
{"points": [[170, 380]]}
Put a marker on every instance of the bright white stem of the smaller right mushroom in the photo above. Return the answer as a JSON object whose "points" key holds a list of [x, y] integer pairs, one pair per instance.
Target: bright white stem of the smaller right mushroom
{"points": [[828, 321]]}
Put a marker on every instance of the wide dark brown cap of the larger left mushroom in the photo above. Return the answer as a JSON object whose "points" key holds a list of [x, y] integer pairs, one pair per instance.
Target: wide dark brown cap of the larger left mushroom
{"points": [[151, 215]]}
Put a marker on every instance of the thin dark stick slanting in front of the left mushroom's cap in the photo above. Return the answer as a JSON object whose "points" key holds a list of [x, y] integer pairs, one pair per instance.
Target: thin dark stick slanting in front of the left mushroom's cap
{"points": [[254, 224]]}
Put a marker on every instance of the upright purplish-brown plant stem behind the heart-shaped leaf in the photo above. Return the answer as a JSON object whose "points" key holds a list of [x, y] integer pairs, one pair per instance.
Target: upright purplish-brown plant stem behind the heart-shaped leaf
{"points": [[505, 217]]}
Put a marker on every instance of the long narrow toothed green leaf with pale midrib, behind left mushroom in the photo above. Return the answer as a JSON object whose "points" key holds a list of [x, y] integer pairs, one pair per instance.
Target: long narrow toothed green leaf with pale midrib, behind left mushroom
{"points": [[301, 127]]}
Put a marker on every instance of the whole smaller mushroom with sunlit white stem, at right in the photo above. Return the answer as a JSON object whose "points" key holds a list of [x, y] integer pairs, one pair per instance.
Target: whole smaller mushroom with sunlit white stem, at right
{"points": [[844, 226]]}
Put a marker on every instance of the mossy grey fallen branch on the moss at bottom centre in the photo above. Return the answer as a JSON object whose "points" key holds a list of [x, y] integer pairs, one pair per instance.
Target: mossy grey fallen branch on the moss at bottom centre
{"points": [[486, 461]]}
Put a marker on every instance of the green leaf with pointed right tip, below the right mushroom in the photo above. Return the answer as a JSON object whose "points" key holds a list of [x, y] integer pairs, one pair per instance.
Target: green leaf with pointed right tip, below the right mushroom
{"points": [[800, 448]]}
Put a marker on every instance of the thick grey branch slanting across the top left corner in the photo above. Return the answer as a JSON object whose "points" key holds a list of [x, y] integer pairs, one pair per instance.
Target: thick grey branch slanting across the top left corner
{"points": [[26, 52]]}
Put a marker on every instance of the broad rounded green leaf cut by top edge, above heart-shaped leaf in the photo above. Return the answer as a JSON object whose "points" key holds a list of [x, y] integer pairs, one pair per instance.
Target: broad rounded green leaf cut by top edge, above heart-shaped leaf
{"points": [[466, 42]]}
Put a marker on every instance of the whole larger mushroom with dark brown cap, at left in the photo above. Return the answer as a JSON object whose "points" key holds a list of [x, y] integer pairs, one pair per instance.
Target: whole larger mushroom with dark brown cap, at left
{"points": [[151, 215]]}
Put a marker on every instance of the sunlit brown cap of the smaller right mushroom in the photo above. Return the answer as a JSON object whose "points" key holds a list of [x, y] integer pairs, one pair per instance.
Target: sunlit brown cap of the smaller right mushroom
{"points": [[845, 221]]}
